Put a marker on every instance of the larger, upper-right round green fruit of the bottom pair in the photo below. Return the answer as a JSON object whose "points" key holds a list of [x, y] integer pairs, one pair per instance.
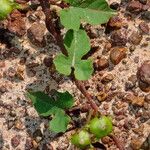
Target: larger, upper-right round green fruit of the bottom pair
{"points": [[100, 127]]}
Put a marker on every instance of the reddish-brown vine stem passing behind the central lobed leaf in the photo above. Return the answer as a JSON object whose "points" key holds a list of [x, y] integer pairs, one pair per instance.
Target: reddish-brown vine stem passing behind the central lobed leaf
{"points": [[51, 28]]}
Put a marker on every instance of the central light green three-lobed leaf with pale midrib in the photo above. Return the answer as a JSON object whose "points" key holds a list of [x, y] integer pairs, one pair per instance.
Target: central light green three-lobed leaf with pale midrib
{"points": [[77, 44]]}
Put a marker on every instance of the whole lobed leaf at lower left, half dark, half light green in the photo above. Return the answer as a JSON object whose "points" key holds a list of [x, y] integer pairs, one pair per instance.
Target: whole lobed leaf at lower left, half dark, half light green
{"points": [[55, 106]]}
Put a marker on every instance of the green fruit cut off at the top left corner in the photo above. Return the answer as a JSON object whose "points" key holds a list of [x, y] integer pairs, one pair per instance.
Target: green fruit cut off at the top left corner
{"points": [[6, 7]]}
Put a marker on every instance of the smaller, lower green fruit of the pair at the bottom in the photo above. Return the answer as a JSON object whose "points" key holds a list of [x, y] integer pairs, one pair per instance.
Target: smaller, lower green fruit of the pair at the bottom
{"points": [[81, 139]]}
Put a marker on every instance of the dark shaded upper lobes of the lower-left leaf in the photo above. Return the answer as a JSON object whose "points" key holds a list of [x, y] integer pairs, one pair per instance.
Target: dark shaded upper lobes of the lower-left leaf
{"points": [[46, 105]]}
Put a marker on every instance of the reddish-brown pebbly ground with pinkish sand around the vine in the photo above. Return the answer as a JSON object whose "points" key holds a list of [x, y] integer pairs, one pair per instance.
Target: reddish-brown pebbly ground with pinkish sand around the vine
{"points": [[120, 84]]}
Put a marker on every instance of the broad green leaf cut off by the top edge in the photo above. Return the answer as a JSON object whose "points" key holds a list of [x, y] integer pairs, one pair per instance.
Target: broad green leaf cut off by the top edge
{"points": [[91, 11]]}
